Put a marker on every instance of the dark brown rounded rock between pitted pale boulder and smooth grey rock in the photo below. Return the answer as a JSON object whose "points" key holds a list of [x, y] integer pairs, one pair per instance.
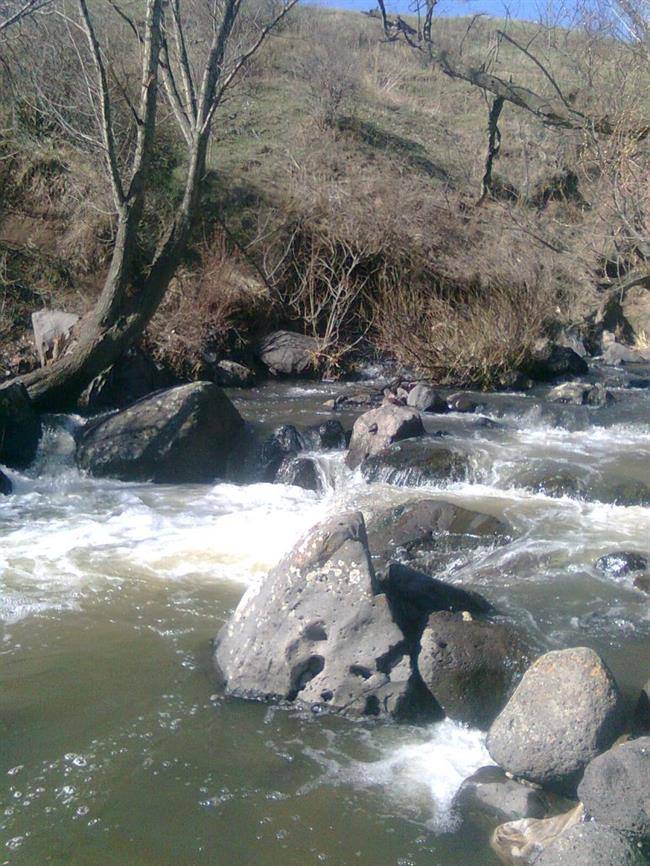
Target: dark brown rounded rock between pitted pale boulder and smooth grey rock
{"points": [[471, 667]]}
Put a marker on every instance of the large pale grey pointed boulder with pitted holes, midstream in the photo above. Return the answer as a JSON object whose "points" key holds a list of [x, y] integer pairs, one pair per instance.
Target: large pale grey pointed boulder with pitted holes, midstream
{"points": [[317, 630]]}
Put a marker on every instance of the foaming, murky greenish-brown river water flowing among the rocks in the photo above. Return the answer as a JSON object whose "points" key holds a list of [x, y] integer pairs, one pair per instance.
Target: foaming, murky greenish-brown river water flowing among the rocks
{"points": [[115, 747]]}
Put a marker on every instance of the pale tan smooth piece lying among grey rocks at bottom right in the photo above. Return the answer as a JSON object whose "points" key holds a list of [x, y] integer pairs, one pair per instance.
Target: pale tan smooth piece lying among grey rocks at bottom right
{"points": [[519, 843]]}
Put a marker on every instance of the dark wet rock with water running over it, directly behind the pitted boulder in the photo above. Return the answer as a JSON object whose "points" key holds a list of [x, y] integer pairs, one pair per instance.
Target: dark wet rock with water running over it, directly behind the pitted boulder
{"points": [[426, 533]]}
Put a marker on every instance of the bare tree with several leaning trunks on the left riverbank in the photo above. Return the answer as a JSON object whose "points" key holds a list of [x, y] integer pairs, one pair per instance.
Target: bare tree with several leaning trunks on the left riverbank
{"points": [[194, 82]]}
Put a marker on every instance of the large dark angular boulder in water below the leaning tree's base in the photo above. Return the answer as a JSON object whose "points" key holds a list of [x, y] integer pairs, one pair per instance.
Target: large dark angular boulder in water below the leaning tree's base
{"points": [[184, 434]]}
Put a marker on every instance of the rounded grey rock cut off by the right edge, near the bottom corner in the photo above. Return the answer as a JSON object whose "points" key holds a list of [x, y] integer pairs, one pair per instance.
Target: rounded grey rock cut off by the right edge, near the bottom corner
{"points": [[615, 788]]}
